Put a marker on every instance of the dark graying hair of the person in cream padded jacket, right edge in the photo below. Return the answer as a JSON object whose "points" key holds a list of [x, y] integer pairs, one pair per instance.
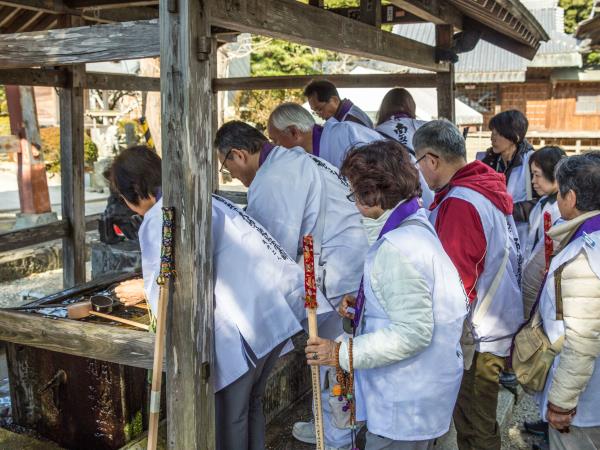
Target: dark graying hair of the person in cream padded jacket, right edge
{"points": [[581, 174]]}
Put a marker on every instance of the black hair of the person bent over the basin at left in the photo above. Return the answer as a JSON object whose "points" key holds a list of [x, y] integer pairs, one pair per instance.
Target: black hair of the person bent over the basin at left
{"points": [[136, 173]]}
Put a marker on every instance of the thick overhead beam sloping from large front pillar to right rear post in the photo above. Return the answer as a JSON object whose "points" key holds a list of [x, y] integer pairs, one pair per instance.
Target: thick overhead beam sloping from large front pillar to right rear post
{"points": [[293, 21]]}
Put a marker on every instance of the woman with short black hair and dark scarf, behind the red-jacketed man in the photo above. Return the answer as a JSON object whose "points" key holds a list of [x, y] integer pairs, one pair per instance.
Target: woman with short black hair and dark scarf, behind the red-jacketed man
{"points": [[509, 154]]}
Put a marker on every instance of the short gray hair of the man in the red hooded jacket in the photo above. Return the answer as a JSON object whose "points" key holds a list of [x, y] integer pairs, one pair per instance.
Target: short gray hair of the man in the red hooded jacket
{"points": [[443, 137]]}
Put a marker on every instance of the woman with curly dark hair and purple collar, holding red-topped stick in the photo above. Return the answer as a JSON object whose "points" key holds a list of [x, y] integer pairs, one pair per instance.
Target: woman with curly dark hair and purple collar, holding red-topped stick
{"points": [[409, 311]]}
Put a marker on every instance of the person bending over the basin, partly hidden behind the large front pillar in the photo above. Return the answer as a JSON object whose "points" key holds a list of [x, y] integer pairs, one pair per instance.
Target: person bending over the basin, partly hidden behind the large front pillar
{"points": [[258, 291]]}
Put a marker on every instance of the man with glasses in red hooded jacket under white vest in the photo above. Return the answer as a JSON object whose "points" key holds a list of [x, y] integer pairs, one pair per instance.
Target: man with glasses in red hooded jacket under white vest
{"points": [[472, 213]]}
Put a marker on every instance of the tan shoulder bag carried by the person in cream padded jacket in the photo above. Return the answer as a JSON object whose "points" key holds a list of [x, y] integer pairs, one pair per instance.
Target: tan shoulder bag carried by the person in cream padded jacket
{"points": [[532, 353]]}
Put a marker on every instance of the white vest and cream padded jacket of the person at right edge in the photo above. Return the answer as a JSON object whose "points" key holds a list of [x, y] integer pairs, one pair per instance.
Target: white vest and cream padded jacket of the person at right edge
{"points": [[581, 384]]}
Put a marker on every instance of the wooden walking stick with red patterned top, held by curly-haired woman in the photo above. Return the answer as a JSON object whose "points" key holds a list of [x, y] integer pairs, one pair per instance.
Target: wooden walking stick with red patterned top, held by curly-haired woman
{"points": [[310, 303]]}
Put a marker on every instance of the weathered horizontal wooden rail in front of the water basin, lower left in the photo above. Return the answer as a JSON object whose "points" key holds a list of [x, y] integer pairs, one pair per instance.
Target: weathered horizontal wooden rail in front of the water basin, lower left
{"points": [[91, 340]]}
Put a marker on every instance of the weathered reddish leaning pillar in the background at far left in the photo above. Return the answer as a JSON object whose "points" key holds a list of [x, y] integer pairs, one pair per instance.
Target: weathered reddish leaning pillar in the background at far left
{"points": [[31, 175]]}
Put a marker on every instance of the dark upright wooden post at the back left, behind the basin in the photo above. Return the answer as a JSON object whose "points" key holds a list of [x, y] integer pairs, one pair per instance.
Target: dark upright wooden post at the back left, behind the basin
{"points": [[72, 173]]}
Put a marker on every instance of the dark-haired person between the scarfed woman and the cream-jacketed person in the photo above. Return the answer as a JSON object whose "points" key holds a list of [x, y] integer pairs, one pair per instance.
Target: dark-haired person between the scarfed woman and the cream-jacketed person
{"points": [[537, 249]]}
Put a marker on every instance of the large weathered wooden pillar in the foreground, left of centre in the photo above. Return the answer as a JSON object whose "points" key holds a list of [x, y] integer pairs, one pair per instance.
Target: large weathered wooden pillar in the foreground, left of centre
{"points": [[187, 57]]}
